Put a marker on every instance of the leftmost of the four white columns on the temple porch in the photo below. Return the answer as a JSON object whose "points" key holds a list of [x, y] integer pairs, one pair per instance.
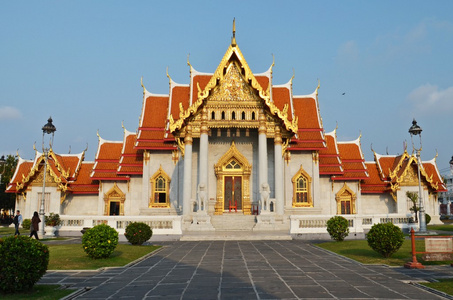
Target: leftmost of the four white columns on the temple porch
{"points": [[187, 185]]}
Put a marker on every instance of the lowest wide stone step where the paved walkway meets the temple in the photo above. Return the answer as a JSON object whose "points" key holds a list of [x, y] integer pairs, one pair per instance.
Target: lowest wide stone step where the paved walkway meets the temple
{"points": [[236, 236]]}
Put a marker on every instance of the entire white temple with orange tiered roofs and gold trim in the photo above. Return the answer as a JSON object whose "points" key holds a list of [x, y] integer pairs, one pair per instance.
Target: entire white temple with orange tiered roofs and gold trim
{"points": [[229, 151]]}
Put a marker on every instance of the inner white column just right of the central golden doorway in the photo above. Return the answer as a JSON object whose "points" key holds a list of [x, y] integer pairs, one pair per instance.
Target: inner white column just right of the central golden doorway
{"points": [[262, 160]]}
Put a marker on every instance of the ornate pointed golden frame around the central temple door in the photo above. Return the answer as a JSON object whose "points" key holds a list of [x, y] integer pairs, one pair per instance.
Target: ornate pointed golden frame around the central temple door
{"points": [[221, 171]]}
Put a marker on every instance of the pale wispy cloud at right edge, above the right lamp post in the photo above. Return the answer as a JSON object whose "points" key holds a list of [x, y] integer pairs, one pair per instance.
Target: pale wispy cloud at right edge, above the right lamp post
{"points": [[429, 99]]}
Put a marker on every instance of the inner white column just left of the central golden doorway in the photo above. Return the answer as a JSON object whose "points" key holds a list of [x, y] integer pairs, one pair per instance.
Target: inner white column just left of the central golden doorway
{"points": [[203, 185]]}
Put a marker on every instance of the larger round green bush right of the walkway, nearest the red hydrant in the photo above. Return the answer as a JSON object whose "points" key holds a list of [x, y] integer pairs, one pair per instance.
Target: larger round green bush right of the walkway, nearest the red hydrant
{"points": [[385, 239]]}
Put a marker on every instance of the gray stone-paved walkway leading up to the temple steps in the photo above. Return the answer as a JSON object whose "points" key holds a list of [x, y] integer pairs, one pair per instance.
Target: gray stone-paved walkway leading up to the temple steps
{"points": [[248, 270]]}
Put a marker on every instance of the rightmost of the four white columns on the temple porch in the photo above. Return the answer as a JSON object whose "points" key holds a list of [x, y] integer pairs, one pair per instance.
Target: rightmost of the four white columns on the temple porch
{"points": [[278, 159]]}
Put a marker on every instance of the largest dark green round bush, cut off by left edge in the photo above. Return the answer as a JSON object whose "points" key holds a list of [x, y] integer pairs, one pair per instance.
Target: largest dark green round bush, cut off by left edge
{"points": [[23, 261]]}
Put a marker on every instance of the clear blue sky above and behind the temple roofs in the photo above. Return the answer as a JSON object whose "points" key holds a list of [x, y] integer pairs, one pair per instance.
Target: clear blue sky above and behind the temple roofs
{"points": [[81, 63]]}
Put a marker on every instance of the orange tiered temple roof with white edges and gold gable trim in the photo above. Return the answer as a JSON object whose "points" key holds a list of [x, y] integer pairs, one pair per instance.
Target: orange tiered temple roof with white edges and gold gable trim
{"points": [[164, 115]]}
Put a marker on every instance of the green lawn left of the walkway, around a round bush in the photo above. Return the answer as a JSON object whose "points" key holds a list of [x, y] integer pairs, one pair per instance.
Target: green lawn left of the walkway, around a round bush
{"points": [[72, 257]]}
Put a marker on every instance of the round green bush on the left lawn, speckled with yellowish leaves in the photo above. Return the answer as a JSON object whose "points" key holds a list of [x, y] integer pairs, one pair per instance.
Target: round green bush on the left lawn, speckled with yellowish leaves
{"points": [[100, 241]]}
